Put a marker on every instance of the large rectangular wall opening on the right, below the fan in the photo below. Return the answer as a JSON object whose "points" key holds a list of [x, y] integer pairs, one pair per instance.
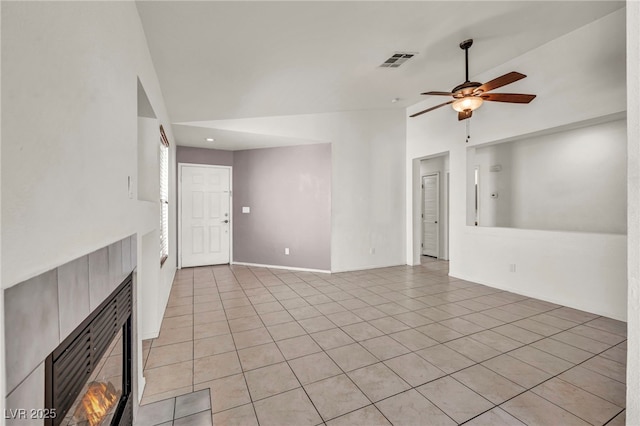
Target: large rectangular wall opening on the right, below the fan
{"points": [[570, 180]]}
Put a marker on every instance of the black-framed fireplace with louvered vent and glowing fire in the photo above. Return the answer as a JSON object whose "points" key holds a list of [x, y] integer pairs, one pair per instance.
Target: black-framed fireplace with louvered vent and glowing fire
{"points": [[88, 376]]}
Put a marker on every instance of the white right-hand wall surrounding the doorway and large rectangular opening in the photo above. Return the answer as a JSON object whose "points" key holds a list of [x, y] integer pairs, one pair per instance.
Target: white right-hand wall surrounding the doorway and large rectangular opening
{"points": [[553, 266]]}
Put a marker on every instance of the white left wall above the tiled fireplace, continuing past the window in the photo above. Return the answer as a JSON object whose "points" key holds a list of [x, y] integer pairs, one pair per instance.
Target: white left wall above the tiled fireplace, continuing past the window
{"points": [[70, 75]]}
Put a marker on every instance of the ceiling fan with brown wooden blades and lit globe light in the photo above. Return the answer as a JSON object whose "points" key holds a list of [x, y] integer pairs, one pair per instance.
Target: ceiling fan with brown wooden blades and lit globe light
{"points": [[468, 96]]}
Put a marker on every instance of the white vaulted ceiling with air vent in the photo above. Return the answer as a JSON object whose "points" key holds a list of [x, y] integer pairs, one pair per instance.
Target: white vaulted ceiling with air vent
{"points": [[239, 59]]}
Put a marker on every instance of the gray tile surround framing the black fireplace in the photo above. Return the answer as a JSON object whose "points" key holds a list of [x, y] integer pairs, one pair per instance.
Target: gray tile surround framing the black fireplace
{"points": [[42, 311]]}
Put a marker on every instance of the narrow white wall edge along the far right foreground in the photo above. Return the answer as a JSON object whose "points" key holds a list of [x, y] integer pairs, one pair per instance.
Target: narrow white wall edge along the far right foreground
{"points": [[633, 191]]}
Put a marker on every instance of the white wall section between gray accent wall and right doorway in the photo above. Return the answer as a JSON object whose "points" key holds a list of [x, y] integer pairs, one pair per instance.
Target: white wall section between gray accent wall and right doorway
{"points": [[367, 157]]}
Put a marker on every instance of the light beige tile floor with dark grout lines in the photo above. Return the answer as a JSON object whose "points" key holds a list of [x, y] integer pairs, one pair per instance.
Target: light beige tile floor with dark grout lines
{"points": [[400, 345]]}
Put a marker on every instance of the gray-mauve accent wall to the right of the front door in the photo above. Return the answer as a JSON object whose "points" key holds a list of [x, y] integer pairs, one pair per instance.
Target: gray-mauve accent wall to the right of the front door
{"points": [[288, 191]]}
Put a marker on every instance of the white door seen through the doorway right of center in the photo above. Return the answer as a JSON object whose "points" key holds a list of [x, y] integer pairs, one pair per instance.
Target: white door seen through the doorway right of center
{"points": [[430, 215]]}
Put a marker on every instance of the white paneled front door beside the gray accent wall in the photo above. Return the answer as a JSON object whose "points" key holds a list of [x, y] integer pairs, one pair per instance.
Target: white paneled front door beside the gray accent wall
{"points": [[205, 215]]}
